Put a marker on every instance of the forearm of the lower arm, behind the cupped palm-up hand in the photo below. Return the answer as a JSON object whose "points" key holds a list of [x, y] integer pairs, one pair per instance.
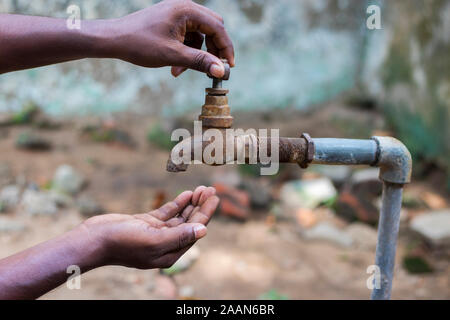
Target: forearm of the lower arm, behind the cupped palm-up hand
{"points": [[37, 270]]}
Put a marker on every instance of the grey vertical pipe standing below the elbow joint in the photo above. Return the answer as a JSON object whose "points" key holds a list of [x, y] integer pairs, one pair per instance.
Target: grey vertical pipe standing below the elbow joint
{"points": [[387, 239]]}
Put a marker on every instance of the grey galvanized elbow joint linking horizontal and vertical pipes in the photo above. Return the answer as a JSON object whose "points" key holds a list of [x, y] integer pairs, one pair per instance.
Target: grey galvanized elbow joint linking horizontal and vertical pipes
{"points": [[394, 160]]}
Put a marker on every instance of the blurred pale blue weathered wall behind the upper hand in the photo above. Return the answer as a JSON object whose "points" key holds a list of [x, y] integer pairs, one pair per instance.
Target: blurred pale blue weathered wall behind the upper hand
{"points": [[289, 53]]}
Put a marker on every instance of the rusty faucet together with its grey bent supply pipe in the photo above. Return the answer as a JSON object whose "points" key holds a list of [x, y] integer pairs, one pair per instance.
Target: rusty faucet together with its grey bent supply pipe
{"points": [[389, 154]]}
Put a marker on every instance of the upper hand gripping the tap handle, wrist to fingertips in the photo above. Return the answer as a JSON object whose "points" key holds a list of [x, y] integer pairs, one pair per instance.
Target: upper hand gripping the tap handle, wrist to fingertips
{"points": [[171, 33]]}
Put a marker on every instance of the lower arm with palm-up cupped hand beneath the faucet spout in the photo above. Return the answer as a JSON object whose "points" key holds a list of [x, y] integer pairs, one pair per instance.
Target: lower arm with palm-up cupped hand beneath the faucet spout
{"points": [[150, 240]]}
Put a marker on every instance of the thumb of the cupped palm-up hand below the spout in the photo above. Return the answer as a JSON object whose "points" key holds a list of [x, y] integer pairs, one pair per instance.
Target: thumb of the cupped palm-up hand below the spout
{"points": [[181, 236]]}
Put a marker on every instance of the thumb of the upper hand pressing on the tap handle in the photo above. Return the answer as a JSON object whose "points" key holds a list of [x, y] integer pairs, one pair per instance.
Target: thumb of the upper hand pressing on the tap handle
{"points": [[201, 61]]}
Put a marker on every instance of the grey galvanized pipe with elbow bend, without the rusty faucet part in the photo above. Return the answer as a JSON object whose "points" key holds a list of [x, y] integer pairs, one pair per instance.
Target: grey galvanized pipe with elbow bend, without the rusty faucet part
{"points": [[394, 161]]}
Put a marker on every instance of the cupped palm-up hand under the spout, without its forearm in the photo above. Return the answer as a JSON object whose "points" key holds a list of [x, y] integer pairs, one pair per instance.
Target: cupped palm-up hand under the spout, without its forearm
{"points": [[158, 238]]}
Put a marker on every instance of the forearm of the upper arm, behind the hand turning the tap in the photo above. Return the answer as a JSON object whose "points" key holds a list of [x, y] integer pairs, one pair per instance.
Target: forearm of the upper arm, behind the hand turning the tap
{"points": [[31, 41]]}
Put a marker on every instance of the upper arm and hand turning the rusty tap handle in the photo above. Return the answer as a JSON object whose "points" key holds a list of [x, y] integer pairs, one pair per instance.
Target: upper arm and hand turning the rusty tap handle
{"points": [[169, 33]]}
